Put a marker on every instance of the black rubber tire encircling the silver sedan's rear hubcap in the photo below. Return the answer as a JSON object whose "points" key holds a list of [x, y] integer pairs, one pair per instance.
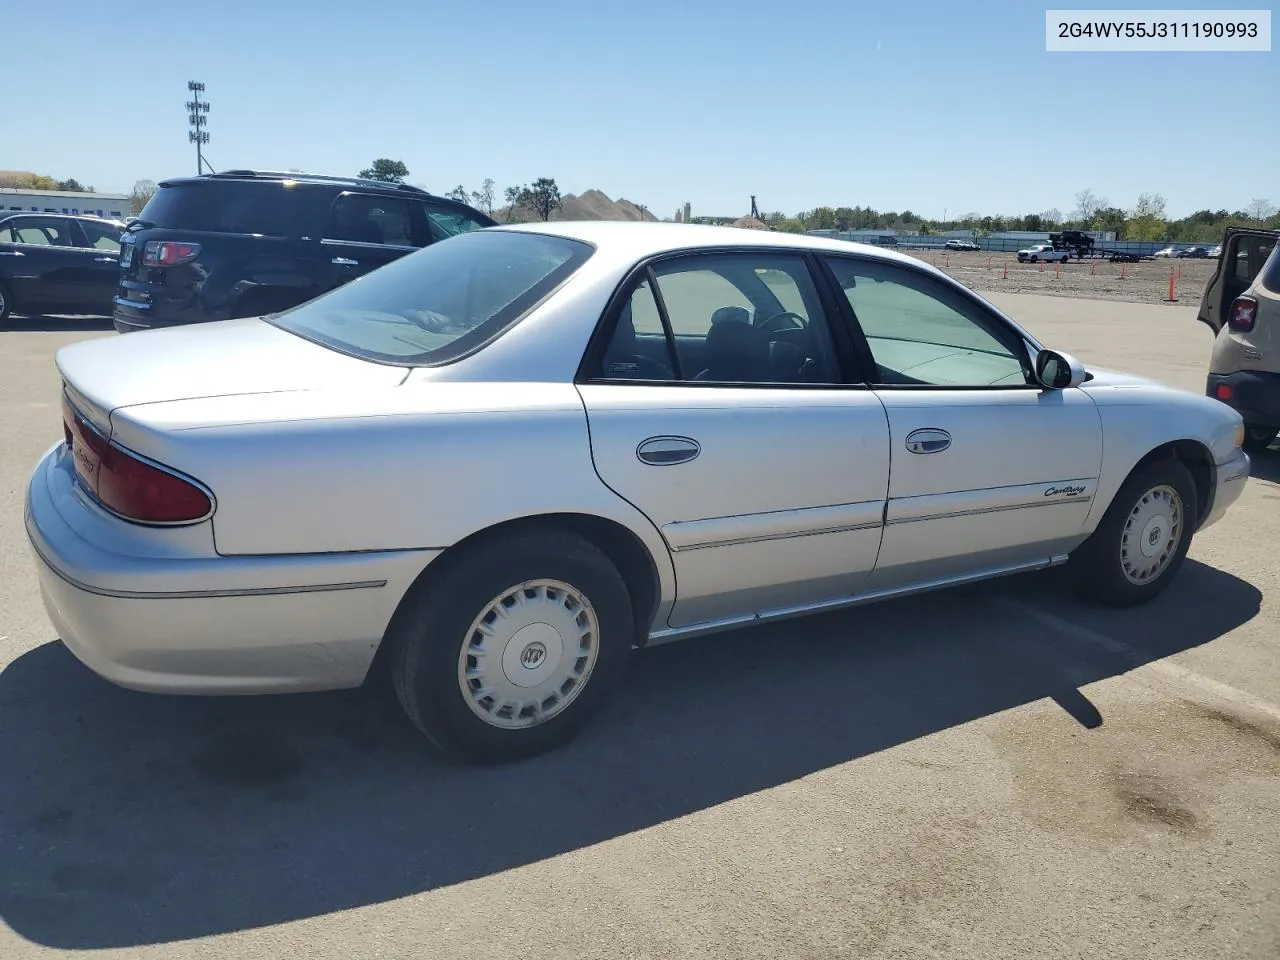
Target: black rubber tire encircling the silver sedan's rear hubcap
{"points": [[429, 633]]}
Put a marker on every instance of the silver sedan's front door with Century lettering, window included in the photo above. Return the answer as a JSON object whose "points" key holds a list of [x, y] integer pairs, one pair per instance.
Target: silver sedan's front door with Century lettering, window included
{"points": [[989, 470]]}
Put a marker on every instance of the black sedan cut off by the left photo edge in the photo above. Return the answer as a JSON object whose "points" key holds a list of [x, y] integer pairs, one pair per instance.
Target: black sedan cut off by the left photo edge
{"points": [[58, 264]]}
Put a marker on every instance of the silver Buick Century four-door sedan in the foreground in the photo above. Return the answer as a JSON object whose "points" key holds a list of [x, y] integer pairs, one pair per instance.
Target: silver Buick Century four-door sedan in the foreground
{"points": [[510, 459]]}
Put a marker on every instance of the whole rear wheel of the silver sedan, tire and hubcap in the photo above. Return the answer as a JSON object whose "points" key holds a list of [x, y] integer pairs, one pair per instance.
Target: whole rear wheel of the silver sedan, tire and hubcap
{"points": [[514, 648]]}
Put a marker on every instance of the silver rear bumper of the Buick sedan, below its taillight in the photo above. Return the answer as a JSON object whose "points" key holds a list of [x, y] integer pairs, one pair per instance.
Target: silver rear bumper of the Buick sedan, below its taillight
{"points": [[180, 619]]}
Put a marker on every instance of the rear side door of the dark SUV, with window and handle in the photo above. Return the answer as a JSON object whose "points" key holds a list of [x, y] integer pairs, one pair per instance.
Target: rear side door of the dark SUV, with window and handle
{"points": [[365, 231]]}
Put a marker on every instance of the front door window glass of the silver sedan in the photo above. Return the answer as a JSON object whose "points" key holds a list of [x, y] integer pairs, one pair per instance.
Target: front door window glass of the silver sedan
{"points": [[922, 333]]}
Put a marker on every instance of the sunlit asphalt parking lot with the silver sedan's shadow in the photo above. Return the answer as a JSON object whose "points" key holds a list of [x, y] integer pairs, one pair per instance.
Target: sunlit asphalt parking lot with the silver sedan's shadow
{"points": [[993, 772]]}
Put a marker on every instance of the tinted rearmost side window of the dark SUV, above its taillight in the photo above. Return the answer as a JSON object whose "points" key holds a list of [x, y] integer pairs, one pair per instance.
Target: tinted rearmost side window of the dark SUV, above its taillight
{"points": [[228, 207]]}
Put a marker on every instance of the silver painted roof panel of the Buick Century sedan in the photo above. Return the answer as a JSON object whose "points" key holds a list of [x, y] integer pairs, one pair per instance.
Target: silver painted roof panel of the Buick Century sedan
{"points": [[639, 240]]}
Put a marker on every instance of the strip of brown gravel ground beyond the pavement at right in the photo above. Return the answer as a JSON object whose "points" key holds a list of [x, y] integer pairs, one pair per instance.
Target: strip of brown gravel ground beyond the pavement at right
{"points": [[1146, 282]]}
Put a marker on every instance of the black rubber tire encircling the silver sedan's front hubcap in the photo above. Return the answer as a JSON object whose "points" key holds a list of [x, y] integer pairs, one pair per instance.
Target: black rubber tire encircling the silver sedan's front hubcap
{"points": [[1098, 565]]}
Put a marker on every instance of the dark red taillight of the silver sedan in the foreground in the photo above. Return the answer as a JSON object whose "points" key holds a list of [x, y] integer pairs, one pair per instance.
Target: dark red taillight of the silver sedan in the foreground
{"points": [[126, 484]]}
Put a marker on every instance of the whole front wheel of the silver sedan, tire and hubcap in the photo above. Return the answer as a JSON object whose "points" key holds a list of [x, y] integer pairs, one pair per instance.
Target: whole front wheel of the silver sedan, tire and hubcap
{"points": [[1142, 541]]}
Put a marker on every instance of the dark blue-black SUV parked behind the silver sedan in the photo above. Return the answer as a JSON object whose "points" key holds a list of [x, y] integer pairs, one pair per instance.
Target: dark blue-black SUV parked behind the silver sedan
{"points": [[252, 243]]}
